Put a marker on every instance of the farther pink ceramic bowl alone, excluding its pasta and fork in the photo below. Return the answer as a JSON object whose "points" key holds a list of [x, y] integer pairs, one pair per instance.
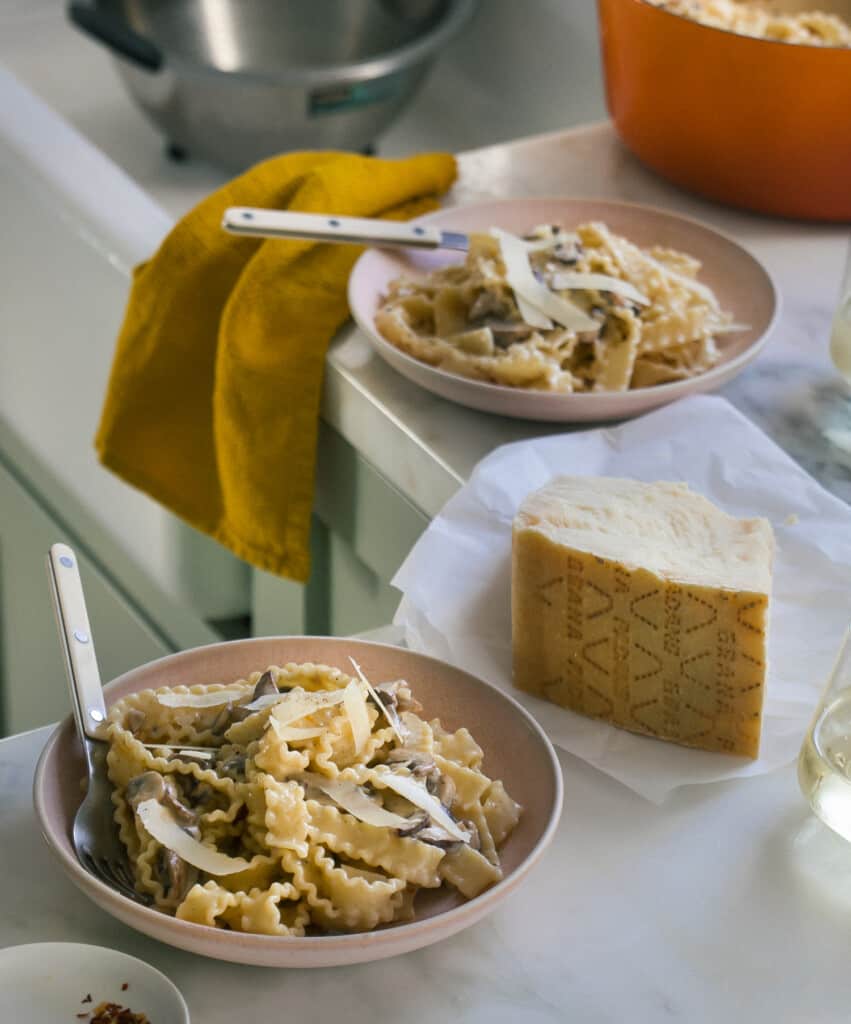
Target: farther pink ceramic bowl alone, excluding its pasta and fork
{"points": [[741, 282]]}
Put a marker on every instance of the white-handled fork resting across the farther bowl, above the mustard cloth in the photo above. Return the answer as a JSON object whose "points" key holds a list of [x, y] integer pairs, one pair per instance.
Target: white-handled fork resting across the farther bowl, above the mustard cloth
{"points": [[330, 228]]}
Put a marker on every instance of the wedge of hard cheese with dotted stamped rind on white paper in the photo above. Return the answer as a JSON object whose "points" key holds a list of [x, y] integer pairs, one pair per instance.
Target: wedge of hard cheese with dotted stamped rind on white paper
{"points": [[646, 606]]}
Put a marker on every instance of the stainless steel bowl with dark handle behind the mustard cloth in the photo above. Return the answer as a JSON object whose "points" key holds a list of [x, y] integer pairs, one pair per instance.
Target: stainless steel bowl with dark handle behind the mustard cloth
{"points": [[235, 81]]}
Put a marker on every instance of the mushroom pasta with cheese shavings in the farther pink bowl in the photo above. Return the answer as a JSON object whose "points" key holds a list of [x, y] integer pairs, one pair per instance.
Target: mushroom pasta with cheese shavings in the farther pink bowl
{"points": [[560, 312]]}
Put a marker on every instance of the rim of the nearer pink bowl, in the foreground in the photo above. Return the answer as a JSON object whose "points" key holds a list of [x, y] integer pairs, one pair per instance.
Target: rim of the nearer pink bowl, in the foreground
{"points": [[377, 940]]}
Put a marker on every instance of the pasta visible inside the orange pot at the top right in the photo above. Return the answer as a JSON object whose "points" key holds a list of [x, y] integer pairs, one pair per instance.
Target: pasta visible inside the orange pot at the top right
{"points": [[813, 28]]}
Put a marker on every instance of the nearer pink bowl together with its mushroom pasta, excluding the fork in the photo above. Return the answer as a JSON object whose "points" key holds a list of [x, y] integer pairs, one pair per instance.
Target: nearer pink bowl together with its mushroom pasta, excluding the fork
{"points": [[309, 801]]}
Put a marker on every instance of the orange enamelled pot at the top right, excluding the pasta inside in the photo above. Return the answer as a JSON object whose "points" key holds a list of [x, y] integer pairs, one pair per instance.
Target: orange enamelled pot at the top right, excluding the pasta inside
{"points": [[751, 122]]}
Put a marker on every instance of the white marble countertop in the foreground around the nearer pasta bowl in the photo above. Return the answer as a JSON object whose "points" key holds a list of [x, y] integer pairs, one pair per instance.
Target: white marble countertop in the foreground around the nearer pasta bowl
{"points": [[731, 903]]}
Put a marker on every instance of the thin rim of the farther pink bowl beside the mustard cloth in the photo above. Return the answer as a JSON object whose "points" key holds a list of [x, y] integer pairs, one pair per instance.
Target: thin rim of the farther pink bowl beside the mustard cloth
{"points": [[668, 392]]}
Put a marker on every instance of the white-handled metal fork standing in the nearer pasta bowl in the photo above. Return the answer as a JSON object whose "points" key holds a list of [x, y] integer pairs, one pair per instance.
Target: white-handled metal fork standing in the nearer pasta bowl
{"points": [[95, 834]]}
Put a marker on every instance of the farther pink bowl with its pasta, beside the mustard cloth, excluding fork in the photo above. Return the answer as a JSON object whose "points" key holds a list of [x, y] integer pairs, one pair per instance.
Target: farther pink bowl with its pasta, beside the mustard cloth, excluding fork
{"points": [[567, 310]]}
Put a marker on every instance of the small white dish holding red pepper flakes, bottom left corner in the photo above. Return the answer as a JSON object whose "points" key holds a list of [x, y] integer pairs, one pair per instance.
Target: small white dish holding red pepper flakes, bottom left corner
{"points": [[47, 984]]}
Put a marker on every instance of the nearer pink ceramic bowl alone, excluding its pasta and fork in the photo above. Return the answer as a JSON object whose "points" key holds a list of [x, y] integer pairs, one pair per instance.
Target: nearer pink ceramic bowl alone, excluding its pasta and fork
{"points": [[516, 751]]}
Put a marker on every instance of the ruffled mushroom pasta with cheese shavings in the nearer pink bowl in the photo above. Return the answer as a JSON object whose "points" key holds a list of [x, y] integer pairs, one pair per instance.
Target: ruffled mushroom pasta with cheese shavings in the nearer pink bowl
{"points": [[301, 800]]}
